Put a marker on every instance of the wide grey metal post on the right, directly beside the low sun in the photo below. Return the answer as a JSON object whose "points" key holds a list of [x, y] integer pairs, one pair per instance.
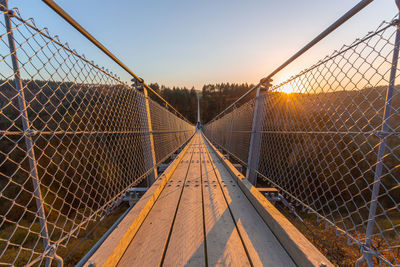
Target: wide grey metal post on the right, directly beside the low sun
{"points": [[255, 140]]}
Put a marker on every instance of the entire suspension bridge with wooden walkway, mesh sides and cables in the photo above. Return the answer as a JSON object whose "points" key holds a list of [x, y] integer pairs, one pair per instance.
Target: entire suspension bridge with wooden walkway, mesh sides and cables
{"points": [[77, 142]]}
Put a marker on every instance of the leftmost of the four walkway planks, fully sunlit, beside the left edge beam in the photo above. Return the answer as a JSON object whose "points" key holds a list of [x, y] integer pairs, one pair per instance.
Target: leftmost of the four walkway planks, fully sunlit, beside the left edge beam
{"points": [[153, 234]]}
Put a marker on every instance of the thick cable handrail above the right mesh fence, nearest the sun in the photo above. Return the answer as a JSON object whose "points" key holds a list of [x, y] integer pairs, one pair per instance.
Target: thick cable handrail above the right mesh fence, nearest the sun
{"points": [[322, 35]]}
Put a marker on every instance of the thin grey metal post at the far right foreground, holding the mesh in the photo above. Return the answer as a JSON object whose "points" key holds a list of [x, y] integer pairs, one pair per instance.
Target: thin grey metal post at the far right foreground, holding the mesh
{"points": [[367, 256]]}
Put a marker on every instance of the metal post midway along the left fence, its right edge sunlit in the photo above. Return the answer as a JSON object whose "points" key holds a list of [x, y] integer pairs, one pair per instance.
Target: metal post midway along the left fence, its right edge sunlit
{"points": [[148, 153]]}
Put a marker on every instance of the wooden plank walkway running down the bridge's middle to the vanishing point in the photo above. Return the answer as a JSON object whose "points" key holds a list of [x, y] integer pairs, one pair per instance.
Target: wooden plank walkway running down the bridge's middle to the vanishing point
{"points": [[201, 217]]}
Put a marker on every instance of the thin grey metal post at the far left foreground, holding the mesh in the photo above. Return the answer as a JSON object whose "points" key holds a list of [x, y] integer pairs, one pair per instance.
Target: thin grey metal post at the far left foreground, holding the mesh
{"points": [[27, 132]]}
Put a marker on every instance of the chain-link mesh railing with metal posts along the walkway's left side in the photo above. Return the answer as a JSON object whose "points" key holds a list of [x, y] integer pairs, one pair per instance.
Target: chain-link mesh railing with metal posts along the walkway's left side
{"points": [[73, 138]]}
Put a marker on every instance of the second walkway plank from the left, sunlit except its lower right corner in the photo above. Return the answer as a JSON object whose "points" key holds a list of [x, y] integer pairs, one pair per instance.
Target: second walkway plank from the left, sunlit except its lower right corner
{"points": [[186, 244]]}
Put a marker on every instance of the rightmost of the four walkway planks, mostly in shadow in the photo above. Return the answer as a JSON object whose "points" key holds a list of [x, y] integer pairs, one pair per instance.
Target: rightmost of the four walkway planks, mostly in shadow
{"points": [[261, 244]]}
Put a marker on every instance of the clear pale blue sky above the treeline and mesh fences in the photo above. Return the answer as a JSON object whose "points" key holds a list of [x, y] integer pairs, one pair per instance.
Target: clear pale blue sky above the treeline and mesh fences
{"points": [[190, 43]]}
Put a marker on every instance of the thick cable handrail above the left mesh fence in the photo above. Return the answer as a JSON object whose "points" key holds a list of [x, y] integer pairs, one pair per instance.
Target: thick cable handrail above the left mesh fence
{"points": [[94, 41]]}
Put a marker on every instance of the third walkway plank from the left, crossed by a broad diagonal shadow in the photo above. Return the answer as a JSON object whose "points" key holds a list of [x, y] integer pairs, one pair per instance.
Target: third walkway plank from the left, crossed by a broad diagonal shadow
{"points": [[224, 246]]}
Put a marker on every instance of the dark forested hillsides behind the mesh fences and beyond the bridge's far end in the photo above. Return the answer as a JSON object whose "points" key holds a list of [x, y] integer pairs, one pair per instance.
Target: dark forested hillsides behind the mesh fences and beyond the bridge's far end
{"points": [[74, 172]]}
